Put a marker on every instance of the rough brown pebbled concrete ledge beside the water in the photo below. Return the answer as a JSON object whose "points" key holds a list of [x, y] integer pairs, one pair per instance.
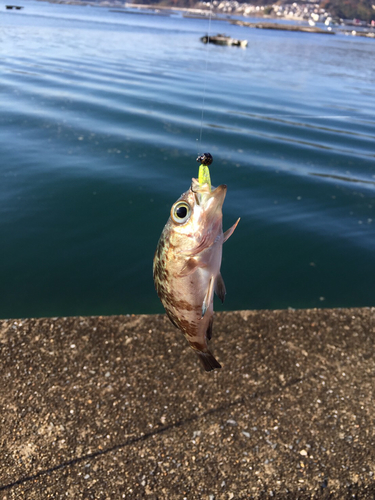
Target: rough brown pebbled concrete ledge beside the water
{"points": [[119, 407]]}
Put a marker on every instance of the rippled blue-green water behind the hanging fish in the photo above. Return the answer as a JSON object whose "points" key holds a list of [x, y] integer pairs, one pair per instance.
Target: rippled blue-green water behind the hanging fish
{"points": [[99, 127]]}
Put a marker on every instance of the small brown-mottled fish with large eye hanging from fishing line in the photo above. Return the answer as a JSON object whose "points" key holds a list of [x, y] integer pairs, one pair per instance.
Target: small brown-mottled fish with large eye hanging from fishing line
{"points": [[186, 265]]}
